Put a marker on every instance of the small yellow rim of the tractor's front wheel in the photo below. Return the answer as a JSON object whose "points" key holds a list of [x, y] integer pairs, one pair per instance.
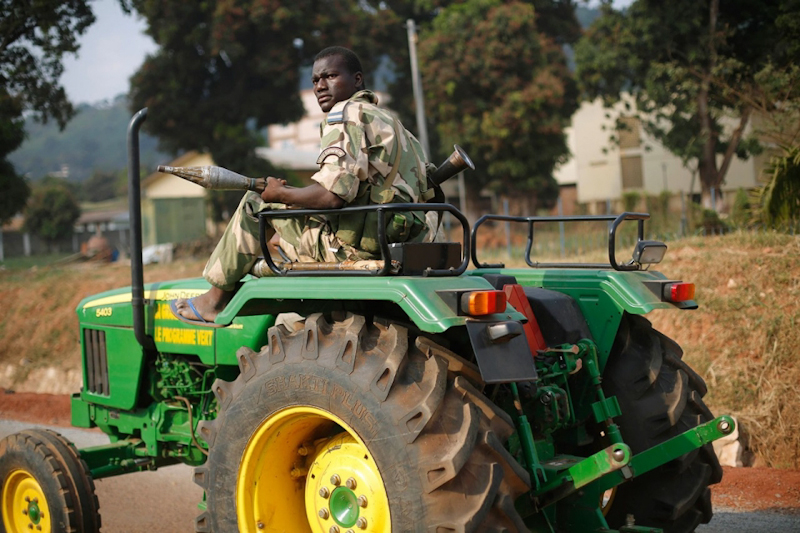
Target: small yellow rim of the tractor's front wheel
{"points": [[24, 505]]}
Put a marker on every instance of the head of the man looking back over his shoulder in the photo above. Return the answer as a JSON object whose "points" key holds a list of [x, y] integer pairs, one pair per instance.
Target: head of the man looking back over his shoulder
{"points": [[336, 76]]}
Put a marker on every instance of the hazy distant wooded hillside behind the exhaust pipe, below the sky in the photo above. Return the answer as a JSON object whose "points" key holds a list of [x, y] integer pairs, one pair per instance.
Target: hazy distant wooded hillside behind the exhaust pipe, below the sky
{"points": [[95, 139]]}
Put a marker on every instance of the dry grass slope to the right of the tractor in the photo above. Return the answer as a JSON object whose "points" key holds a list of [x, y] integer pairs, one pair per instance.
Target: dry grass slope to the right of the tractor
{"points": [[744, 337]]}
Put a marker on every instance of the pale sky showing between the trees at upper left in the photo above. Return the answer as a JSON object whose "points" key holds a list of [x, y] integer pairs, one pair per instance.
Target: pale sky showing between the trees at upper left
{"points": [[113, 48]]}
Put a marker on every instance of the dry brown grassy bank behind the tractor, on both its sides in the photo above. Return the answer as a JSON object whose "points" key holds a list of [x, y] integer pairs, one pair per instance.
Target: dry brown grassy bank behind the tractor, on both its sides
{"points": [[743, 340]]}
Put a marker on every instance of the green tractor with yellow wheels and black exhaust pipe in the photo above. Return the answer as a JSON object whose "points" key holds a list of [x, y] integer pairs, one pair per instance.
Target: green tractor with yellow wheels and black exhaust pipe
{"points": [[415, 395]]}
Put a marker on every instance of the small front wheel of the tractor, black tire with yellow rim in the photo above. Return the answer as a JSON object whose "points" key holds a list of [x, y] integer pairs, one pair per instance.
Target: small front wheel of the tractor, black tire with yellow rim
{"points": [[45, 486]]}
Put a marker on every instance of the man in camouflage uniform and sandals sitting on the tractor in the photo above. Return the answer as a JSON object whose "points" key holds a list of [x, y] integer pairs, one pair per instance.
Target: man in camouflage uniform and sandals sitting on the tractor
{"points": [[367, 157]]}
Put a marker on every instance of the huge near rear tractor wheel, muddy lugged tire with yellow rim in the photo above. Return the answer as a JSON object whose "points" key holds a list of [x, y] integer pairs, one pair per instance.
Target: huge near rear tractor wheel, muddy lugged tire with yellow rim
{"points": [[344, 426]]}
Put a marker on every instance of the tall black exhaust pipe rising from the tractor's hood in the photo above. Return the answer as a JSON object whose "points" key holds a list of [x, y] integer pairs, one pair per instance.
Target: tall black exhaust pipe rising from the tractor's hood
{"points": [[135, 209]]}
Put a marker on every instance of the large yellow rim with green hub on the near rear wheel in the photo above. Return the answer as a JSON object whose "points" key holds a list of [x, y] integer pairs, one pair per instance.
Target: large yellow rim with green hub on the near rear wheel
{"points": [[305, 470]]}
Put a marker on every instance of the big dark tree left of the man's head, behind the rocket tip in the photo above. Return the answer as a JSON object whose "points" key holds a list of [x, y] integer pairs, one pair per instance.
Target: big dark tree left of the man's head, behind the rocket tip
{"points": [[225, 70]]}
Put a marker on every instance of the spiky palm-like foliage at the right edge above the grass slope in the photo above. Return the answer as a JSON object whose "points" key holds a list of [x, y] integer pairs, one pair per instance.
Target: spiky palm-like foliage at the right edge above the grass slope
{"points": [[778, 201]]}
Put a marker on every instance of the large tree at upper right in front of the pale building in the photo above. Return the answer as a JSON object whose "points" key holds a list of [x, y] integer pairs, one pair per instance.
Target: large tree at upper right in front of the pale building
{"points": [[693, 70]]}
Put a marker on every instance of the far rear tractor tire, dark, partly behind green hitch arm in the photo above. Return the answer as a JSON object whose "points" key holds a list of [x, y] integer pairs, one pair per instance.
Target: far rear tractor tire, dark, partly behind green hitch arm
{"points": [[660, 397]]}
